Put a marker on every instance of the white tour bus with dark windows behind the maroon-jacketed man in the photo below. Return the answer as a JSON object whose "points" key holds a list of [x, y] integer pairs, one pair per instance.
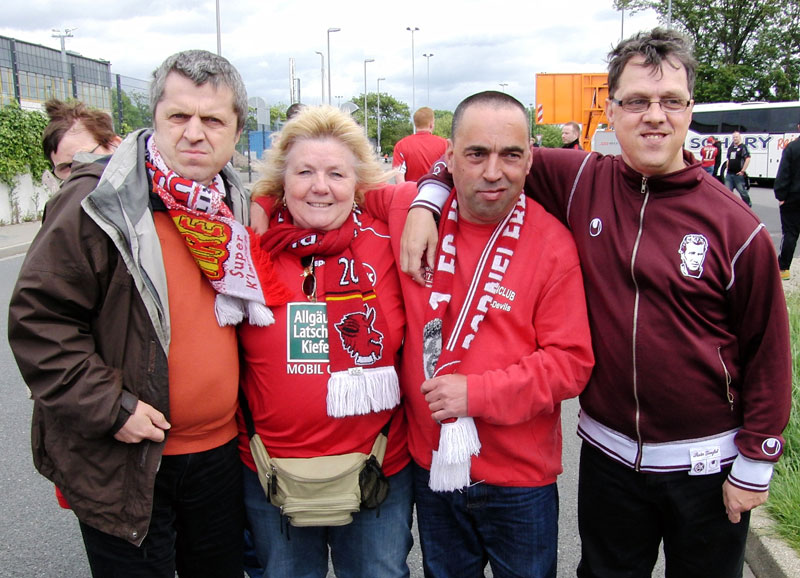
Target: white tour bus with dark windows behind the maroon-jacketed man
{"points": [[766, 129]]}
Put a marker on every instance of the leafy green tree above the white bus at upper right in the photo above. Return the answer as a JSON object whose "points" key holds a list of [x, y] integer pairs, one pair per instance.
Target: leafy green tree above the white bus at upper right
{"points": [[746, 50]]}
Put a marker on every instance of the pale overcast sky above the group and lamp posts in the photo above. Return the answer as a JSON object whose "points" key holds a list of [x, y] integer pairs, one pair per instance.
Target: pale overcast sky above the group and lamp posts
{"points": [[476, 44]]}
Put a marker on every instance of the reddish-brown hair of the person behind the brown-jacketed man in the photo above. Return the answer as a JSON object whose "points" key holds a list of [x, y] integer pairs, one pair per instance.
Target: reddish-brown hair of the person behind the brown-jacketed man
{"points": [[64, 115]]}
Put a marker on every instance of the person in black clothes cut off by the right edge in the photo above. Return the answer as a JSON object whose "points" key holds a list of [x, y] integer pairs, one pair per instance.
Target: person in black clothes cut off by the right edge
{"points": [[787, 191]]}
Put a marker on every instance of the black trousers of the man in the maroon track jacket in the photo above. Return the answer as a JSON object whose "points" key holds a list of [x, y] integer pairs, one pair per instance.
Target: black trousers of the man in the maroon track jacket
{"points": [[623, 516]]}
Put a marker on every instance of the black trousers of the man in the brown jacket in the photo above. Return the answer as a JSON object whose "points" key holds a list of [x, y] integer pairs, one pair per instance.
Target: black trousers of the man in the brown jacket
{"points": [[197, 525]]}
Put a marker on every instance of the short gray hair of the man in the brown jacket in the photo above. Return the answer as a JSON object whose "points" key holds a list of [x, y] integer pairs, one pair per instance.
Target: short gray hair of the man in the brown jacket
{"points": [[201, 66]]}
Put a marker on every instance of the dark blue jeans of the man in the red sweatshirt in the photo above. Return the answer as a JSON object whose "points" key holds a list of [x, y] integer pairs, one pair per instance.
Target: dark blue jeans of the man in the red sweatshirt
{"points": [[515, 529]]}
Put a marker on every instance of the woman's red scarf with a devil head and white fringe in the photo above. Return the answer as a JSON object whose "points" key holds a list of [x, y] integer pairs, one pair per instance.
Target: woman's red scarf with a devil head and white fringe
{"points": [[363, 377]]}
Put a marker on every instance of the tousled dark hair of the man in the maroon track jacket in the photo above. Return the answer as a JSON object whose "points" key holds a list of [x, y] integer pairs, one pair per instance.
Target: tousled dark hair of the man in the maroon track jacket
{"points": [[658, 46]]}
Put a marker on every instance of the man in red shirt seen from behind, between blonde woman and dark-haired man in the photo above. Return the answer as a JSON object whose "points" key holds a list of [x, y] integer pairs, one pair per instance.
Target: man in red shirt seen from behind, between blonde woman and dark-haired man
{"points": [[415, 154]]}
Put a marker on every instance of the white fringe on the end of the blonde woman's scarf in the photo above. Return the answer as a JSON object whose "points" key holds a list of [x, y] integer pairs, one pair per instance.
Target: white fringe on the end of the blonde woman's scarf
{"points": [[358, 391]]}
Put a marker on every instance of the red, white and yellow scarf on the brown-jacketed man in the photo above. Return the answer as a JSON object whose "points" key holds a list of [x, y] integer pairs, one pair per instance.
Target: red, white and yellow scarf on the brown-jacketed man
{"points": [[240, 273]]}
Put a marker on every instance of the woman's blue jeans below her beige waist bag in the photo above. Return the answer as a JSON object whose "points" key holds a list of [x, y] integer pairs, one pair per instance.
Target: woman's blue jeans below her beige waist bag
{"points": [[376, 543]]}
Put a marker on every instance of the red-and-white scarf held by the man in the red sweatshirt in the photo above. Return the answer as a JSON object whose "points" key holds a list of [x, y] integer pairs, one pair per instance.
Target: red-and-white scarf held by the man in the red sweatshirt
{"points": [[458, 439]]}
